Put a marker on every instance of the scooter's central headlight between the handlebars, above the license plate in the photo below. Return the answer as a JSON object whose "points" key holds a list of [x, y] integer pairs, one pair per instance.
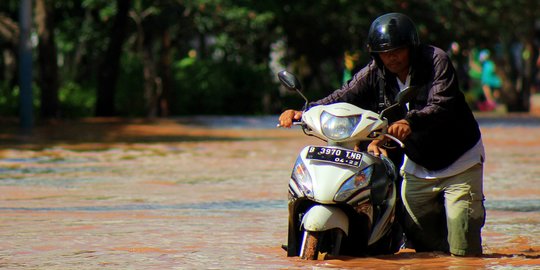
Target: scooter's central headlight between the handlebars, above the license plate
{"points": [[338, 128]]}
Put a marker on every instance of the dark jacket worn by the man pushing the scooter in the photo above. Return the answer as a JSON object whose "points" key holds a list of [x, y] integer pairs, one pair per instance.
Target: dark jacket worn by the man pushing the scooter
{"points": [[443, 126]]}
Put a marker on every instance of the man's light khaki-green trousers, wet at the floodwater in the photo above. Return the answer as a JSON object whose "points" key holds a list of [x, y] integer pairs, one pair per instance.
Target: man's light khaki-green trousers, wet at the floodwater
{"points": [[447, 213]]}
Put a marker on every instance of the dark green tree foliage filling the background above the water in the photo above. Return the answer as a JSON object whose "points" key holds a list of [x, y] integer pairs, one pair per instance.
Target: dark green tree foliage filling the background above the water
{"points": [[182, 57]]}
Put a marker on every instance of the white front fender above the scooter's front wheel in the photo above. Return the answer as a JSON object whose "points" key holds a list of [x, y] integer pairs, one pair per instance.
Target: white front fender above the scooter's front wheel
{"points": [[323, 217]]}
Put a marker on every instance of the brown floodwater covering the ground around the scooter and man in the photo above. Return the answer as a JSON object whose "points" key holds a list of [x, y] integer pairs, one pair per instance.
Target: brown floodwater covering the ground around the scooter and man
{"points": [[210, 193]]}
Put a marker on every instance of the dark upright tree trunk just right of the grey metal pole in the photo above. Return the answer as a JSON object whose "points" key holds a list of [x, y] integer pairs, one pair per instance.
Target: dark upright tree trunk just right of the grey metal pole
{"points": [[47, 65]]}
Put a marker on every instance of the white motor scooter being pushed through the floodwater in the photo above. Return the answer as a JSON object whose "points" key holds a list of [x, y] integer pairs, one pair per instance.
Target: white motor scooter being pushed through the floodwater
{"points": [[342, 201]]}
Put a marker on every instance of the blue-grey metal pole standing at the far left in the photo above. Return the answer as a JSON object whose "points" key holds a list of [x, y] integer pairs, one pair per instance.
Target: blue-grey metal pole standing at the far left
{"points": [[25, 67]]}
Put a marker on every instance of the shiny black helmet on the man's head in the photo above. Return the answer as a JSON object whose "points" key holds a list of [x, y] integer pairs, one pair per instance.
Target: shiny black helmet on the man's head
{"points": [[392, 31]]}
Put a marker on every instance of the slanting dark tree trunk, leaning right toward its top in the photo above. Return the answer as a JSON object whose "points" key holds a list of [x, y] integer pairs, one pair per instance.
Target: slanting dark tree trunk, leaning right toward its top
{"points": [[108, 72]]}
